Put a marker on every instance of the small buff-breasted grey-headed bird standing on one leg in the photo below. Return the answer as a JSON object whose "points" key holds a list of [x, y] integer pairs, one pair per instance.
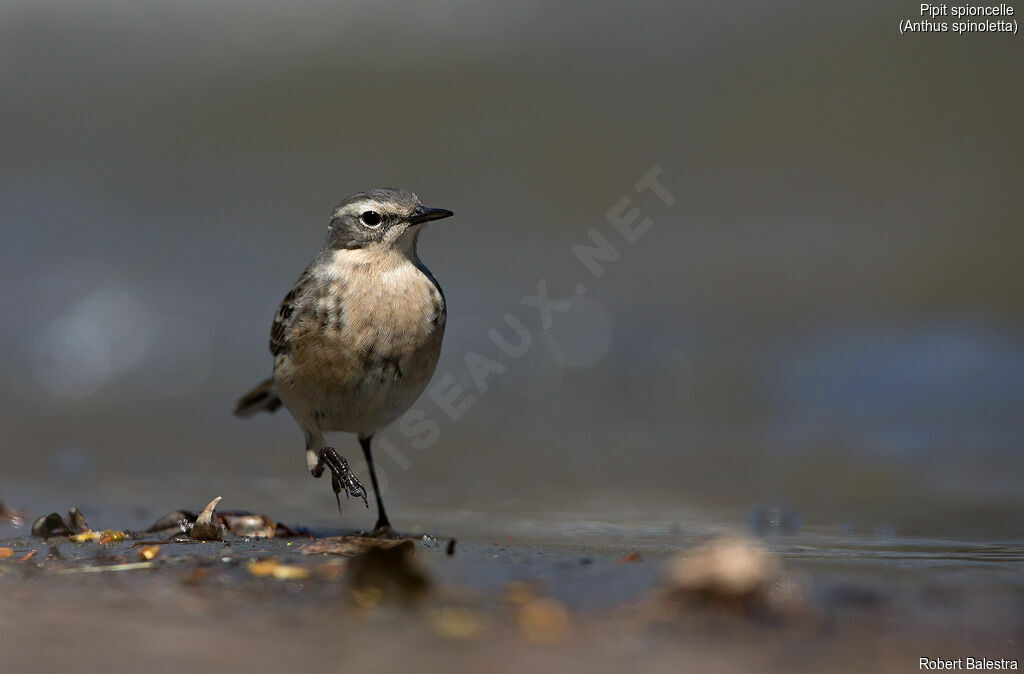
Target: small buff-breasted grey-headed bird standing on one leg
{"points": [[358, 338]]}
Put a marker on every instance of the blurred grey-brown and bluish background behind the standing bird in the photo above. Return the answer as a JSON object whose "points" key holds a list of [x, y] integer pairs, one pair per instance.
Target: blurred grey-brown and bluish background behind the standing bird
{"points": [[827, 323]]}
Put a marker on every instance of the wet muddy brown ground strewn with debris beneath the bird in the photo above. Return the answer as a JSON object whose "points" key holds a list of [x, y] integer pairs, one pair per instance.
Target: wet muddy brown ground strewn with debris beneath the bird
{"points": [[595, 601]]}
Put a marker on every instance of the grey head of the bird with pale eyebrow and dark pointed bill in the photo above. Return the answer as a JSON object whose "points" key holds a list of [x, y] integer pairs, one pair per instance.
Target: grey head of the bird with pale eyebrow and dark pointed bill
{"points": [[381, 220]]}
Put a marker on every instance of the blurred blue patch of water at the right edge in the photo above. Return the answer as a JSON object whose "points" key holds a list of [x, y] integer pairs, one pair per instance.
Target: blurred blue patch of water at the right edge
{"points": [[904, 391]]}
